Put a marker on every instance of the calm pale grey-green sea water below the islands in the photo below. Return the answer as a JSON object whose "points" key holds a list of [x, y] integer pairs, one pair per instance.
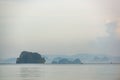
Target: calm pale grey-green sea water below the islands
{"points": [[60, 72]]}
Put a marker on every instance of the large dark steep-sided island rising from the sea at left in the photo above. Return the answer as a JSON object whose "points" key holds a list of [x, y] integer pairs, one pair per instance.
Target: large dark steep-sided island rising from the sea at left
{"points": [[30, 57]]}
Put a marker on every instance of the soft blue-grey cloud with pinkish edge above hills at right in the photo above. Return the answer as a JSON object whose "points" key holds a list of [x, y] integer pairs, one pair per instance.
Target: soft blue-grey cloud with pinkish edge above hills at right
{"points": [[111, 43]]}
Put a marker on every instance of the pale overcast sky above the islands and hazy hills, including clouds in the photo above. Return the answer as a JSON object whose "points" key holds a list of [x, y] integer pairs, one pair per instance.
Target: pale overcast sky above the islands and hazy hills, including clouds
{"points": [[59, 27]]}
